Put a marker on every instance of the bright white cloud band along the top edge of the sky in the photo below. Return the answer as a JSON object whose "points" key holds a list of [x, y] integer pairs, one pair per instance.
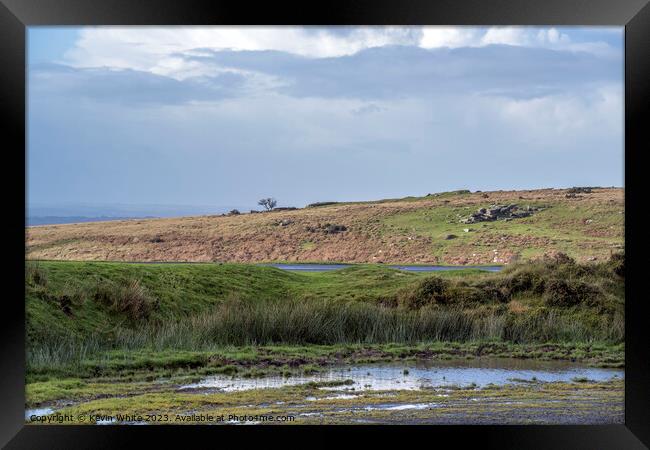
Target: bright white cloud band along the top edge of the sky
{"points": [[153, 49]]}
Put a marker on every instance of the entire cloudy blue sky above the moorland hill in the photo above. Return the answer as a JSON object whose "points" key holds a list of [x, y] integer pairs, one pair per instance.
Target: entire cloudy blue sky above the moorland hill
{"points": [[219, 116]]}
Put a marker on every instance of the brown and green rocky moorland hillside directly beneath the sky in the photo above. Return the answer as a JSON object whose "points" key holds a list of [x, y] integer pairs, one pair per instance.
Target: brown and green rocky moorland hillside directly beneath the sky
{"points": [[459, 227]]}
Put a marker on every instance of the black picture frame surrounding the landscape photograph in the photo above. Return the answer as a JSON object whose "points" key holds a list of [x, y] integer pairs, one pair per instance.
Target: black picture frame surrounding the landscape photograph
{"points": [[16, 15]]}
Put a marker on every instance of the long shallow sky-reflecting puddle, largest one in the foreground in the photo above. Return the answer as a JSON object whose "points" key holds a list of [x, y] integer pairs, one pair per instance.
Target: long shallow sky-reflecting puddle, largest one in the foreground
{"points": [[478, 372]]}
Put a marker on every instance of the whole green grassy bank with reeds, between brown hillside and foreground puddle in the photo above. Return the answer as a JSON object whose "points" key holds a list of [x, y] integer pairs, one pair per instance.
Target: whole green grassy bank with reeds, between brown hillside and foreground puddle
{"points": [[76, 311]]}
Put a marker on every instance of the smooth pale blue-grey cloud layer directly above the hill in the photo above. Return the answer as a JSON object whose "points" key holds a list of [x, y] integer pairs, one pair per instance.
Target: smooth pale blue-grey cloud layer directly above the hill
{"points": [[304, 149]]}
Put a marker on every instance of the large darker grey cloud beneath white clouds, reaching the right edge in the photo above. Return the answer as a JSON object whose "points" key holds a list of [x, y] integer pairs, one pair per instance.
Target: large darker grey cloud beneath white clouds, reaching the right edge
{"points": [[400, 72]]}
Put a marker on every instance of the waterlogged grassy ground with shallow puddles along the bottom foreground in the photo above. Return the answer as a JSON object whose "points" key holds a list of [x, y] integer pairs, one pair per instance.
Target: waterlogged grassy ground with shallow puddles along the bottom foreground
{"points": [[469, 391]]}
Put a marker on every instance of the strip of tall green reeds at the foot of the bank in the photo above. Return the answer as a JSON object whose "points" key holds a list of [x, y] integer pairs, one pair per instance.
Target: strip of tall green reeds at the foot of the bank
{"points": [[328, 322]]}
